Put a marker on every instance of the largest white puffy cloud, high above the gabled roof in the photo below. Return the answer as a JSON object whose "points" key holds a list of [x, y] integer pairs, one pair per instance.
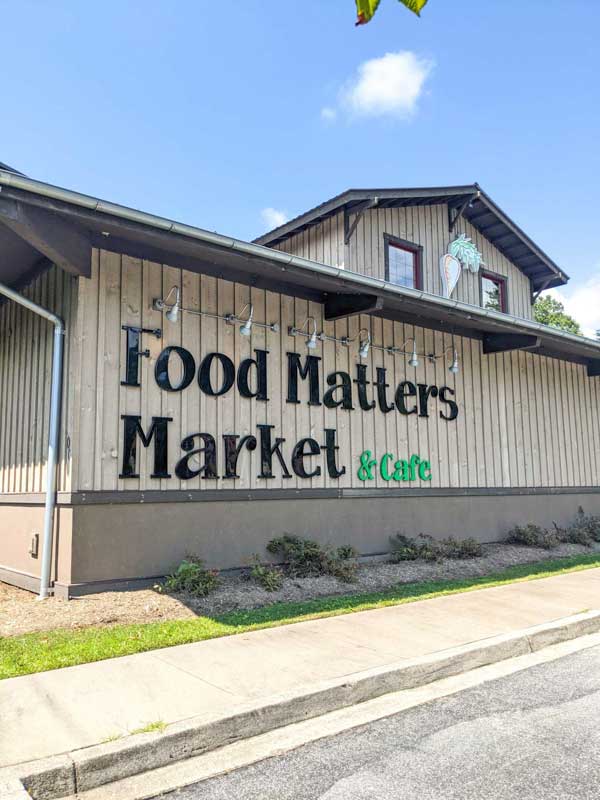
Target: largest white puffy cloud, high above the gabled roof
{"points": [[386, 86]]}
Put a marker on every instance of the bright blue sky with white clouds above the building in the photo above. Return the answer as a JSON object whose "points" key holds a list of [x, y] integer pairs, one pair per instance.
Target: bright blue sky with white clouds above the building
{"points": [[212, 112]]}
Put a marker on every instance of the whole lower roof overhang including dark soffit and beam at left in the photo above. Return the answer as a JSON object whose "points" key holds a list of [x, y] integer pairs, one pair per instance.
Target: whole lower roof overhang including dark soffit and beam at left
{"points": [[55, 223]]}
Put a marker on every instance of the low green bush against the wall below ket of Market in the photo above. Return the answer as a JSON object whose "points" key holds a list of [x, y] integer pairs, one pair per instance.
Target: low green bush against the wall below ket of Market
{"points": [[305, 558]]}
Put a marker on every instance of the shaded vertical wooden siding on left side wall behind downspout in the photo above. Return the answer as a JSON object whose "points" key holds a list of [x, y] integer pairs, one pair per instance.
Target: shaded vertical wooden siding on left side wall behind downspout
{"points": [[26, 342]]}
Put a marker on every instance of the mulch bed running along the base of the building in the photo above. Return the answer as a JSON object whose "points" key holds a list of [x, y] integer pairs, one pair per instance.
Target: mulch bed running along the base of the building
{"points": [[21, 612]]}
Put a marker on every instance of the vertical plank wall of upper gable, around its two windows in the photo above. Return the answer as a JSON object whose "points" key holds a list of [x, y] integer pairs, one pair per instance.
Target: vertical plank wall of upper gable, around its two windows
{"points": [[424, 225]]}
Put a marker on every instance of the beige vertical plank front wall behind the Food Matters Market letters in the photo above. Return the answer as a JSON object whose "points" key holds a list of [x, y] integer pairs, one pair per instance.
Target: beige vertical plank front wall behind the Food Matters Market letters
{"points": [[524, 421]]}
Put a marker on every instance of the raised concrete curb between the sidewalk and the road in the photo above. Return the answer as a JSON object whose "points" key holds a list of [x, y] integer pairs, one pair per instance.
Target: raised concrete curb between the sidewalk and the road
{"points": [[88, 768]]}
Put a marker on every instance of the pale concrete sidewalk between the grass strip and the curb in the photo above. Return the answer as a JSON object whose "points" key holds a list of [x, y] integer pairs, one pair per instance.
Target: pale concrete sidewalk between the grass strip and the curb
{"points": [[57, 712]]}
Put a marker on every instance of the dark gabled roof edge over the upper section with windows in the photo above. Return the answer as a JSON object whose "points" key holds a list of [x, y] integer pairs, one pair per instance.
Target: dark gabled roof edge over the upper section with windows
{"points": [[472, 202]]}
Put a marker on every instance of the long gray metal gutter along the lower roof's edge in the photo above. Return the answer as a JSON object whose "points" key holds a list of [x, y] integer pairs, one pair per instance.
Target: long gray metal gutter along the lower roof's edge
{"points": [[353, 279]]}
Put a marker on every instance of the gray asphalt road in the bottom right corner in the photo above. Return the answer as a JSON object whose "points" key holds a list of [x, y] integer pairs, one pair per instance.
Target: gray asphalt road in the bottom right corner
{"points": [[534, 735]]}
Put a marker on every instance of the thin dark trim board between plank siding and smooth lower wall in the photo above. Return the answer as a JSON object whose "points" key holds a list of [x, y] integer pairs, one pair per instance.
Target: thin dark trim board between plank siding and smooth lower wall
{"points": [[232, 495]]}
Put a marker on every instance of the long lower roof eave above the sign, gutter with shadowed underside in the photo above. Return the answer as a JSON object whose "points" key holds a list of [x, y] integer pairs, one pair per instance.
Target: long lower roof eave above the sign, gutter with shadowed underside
{"points": [[261, 266]]}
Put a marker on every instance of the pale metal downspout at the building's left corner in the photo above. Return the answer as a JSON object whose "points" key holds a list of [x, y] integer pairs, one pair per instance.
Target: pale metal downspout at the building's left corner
{"points": [[54, 428]]}
